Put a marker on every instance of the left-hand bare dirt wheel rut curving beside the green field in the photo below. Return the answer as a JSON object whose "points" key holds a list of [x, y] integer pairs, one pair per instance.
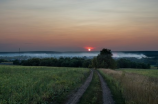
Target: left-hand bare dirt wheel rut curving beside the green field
{"points": [[75, 97]]}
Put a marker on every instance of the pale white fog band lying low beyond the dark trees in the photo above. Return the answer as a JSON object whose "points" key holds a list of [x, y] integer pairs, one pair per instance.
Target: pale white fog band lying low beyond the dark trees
{"points": [[69, 54]]}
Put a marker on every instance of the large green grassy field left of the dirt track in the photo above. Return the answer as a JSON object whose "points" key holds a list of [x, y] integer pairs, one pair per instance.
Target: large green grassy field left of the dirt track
{"points": [[32, 85]]}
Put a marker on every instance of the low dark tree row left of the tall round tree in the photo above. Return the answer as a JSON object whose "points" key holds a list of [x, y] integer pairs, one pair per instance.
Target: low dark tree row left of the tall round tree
{"points": [[57, 62]]}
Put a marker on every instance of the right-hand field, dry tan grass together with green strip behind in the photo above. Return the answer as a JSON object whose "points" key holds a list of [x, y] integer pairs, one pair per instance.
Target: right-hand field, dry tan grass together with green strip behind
{"points": [[136, 88]]}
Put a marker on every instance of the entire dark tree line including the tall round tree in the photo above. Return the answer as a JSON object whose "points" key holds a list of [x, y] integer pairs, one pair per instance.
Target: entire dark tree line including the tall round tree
{"points": [[103, 60]]}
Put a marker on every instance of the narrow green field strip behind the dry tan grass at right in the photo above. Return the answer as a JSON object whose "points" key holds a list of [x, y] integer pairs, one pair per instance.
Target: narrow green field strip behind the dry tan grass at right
{"points": [[146, 72]]}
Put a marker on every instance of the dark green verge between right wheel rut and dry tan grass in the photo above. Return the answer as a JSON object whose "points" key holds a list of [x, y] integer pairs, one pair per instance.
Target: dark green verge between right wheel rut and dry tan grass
{"points": [[115, 88]]}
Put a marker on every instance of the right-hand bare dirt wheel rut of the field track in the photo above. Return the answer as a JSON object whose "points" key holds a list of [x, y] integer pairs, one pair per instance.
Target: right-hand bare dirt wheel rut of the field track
{"points": [[107, 96]]}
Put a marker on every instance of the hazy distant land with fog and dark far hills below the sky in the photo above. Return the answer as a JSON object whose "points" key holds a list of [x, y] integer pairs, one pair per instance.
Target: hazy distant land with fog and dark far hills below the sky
{"points": [[45, 54]]}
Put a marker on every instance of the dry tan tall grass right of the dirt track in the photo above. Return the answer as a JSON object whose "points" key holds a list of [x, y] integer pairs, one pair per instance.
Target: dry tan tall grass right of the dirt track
{"points": [[137, 89]]}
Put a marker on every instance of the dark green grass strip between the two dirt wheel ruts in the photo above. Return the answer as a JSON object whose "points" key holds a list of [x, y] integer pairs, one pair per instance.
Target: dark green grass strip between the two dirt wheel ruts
{"points": [[93, 94]]}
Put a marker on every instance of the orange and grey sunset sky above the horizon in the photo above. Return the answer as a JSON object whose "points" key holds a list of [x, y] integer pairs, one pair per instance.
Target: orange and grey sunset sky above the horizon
{"points": [[72, 25]]}
